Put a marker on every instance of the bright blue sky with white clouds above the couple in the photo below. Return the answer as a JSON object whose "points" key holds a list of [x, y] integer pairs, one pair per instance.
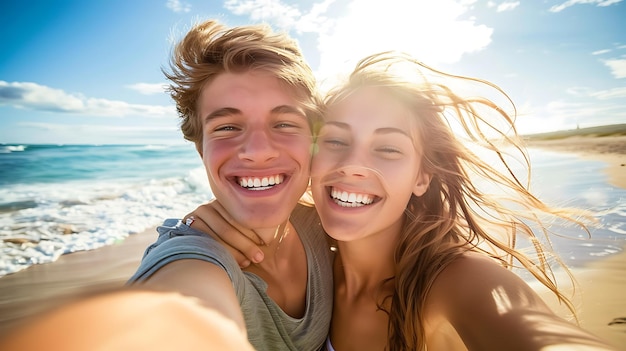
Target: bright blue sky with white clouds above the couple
{"points": [[90, 72]]}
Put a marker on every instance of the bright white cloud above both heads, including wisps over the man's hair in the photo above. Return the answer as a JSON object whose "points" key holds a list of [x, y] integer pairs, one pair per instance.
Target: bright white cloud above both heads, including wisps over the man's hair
{"points": [[431, 31]]}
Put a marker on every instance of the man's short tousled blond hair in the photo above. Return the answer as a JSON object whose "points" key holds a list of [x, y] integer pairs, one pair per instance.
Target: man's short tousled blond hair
{"points": [[211, 48]]}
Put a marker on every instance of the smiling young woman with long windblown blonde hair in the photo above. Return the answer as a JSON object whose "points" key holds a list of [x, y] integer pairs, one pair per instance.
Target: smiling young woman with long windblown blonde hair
{"points": [[423, 253]]}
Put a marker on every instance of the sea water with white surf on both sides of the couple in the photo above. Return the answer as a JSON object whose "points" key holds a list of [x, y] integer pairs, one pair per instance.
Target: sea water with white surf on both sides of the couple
{"points": [[58, 199]]}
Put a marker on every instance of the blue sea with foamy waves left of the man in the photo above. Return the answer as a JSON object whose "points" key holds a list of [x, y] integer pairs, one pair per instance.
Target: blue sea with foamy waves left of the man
{"points": [[57, 199]]}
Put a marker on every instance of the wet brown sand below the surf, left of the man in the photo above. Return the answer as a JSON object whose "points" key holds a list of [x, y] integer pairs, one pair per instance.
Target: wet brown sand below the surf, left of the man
{"points": [[45, 285]]}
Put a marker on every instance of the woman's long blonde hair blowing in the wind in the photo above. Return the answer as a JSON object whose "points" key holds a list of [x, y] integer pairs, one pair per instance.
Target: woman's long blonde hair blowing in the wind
{"points": [[455, 215]]}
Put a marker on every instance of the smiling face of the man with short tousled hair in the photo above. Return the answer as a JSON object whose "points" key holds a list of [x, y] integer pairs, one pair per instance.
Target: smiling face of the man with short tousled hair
{"points": [[255, 148]]}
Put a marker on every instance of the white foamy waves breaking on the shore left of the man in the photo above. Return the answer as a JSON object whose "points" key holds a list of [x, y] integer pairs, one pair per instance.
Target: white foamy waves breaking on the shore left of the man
{"points": [[86, 218]]}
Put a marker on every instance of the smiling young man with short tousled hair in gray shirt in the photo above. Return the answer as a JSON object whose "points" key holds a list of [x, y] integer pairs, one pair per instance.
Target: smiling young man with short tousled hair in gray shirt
{"points": [[248, 101]]}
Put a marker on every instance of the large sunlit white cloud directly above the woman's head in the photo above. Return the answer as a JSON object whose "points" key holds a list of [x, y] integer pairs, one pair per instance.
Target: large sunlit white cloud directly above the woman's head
{"points": [[432, 32]]}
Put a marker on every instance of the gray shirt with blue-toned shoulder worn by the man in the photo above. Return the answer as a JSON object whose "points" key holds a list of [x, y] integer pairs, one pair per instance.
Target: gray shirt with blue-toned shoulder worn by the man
{"points": [[268, 327]]}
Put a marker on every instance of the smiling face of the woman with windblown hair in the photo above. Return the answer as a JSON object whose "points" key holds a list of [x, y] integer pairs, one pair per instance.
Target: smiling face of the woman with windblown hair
{"points": [[367, 166]]}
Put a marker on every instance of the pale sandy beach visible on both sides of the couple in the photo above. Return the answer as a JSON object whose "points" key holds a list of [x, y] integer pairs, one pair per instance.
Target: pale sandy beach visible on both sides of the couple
{"points": [[602, 283]]}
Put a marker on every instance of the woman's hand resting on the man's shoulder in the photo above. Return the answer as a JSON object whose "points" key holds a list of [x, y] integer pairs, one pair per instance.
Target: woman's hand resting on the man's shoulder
{"points": [[212, 219]]}
